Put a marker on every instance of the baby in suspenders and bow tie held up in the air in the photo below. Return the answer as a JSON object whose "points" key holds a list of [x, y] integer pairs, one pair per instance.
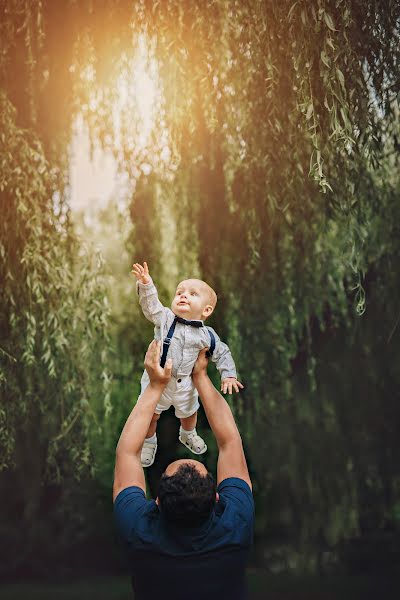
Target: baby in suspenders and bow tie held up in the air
{"points": [[184, 335]]}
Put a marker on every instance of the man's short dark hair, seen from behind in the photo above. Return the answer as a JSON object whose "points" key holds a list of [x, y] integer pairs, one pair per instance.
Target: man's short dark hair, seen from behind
{"points": [[187, 497]]}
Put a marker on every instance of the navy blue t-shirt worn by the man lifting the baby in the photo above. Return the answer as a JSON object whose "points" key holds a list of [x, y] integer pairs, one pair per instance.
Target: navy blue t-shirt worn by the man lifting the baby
{"points": [[204, 562]]}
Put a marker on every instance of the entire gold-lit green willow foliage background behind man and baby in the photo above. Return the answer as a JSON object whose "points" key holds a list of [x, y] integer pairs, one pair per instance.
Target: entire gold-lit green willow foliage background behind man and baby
{"points": [[281, 188]]}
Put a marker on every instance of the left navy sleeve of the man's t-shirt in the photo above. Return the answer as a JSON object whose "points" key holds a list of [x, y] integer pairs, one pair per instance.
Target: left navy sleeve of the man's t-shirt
{"points": [[129, 507]]}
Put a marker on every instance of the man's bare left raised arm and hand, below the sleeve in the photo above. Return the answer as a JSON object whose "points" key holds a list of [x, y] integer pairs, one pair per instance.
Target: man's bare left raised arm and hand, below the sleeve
{"points": [[128, 466]]}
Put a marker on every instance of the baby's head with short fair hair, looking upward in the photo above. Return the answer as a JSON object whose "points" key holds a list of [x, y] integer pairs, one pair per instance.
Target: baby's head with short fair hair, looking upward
{"points": [[194, 299]]}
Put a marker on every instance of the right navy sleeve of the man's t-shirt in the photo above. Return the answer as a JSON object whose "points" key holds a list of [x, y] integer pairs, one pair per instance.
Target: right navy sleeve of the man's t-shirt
{"points": [[236, 500]]}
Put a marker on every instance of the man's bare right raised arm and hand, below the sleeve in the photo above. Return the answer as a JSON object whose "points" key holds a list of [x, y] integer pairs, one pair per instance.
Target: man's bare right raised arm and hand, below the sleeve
{"points": [[231, 458]]}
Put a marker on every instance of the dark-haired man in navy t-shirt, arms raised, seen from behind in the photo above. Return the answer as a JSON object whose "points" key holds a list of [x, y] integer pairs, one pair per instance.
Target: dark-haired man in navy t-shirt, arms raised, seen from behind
{"points": [[191, 543]]}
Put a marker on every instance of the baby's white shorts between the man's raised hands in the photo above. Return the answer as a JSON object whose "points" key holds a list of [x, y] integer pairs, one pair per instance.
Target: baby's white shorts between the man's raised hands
{"points": [[179, 393]]}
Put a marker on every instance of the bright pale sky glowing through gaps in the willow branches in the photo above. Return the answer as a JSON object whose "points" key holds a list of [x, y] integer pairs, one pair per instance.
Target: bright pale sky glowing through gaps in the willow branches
{"points": [[94, 179]]}
